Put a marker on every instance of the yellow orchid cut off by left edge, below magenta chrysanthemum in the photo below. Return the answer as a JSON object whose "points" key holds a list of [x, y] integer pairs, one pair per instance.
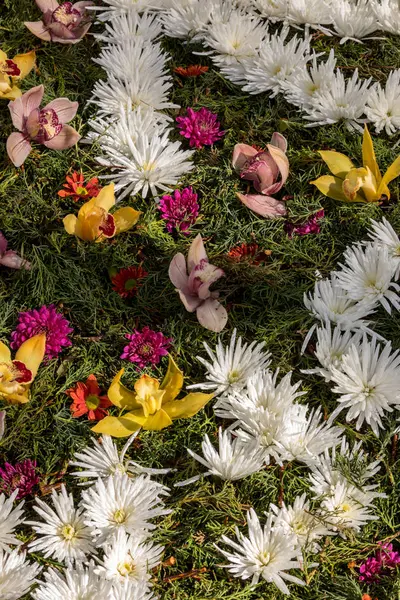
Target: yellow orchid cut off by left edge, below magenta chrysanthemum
{"points": [[17, 375]]}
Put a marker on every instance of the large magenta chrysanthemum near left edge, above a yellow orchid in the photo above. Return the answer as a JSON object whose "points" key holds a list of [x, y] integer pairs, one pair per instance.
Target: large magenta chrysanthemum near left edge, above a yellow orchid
{"points": [[43, 320]]}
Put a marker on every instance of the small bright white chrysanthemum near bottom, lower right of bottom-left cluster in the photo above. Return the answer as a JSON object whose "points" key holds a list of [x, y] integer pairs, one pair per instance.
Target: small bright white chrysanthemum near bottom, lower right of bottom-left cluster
{"points": [[129, 557]]}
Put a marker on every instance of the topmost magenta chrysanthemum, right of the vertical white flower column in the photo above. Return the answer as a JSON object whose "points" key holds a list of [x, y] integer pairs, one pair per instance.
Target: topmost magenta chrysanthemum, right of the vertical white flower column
{"points": [[201, 128]]}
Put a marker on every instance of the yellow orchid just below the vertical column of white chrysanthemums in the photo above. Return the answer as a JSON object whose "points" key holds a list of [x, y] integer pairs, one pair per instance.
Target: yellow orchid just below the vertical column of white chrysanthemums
{"points": [[95, 223]]}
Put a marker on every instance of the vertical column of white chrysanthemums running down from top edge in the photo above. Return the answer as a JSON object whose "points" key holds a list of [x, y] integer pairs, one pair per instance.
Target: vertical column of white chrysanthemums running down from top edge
{"points": [[130, 127]]}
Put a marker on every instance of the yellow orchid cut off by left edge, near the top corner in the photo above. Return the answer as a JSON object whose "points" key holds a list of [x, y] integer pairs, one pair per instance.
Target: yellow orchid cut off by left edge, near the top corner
{"points": [[12, 71]]}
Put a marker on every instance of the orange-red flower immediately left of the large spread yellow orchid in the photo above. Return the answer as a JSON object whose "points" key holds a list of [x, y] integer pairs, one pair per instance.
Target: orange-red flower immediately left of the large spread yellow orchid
{"points": [[88, 401]]}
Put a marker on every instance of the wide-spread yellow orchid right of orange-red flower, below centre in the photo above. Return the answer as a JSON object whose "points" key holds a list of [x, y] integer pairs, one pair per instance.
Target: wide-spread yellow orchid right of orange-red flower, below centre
{"points": [[151, 405]]}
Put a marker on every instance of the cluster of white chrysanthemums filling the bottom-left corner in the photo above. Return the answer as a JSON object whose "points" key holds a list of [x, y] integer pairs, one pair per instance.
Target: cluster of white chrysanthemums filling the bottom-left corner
{"points": [[103, 541]]}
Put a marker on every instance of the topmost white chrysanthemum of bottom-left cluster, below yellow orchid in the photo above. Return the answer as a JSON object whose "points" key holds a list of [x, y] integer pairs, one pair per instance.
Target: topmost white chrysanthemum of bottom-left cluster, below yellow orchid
{"points": [[102, 459]]}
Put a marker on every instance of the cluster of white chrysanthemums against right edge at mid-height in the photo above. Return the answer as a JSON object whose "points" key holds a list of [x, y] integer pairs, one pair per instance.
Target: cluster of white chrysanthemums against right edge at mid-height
{"points": [[363, 366]]}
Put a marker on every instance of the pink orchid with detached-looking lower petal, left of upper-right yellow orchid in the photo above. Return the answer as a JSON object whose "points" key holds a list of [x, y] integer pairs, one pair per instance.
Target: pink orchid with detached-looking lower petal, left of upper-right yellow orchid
{"points": [[268, 170]]}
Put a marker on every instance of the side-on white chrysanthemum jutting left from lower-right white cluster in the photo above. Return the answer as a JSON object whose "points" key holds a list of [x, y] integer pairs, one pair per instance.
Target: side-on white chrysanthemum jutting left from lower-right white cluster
{"points": [[235, 458]]}
